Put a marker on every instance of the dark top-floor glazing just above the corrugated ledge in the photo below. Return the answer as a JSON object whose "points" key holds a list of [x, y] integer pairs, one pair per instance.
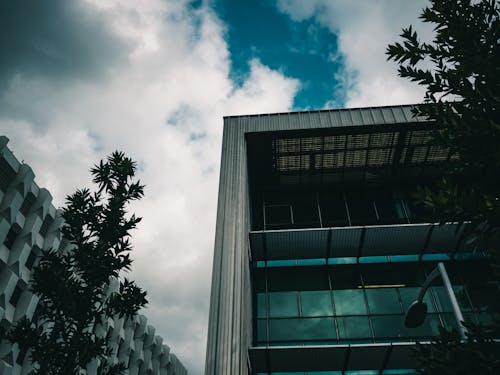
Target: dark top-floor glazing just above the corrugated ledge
{"points": [[331, 208]]}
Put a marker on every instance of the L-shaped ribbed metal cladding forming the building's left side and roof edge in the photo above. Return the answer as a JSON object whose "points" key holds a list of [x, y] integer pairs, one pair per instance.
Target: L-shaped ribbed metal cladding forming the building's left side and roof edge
{"points": [[230, 319]]}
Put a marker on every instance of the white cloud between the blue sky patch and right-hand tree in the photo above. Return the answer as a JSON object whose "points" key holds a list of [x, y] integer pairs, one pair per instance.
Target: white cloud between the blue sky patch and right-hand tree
{"points": [[364, 29]]}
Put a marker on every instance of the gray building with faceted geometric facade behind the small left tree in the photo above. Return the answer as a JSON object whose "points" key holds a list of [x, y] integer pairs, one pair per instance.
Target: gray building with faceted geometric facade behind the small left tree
{"points": [[30, 223]]}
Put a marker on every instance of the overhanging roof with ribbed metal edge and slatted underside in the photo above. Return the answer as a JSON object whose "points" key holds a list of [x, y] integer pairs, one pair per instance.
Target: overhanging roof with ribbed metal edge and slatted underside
{"points": [[341, 145]]}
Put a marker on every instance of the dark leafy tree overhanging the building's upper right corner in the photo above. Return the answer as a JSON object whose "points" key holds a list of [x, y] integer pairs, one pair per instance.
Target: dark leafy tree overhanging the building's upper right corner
{"points": [[460, 69]]}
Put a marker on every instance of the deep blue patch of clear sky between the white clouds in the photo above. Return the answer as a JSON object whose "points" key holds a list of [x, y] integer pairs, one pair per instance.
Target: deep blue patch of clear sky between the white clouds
{"points": [[304, 50]]}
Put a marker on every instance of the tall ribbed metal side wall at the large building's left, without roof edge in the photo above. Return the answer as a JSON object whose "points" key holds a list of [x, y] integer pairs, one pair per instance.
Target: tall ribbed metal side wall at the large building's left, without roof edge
{"points": [[229, 331]]}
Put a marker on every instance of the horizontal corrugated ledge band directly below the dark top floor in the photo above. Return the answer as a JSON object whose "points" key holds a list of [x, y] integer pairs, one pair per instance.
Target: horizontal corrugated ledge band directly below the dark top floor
{"points": [[360, 241]]}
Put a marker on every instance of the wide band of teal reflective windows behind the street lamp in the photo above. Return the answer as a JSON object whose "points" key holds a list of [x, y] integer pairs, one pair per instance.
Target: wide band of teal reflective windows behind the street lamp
{"points": [[360, 303]]}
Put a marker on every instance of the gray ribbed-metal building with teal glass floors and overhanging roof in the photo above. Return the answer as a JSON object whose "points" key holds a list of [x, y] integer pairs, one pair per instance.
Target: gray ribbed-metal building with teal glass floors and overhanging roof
{"points": [[320, 246]]}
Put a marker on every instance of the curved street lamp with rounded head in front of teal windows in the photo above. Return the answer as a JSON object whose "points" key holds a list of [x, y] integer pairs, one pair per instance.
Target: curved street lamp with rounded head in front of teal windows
{"points": [[418, 309]]}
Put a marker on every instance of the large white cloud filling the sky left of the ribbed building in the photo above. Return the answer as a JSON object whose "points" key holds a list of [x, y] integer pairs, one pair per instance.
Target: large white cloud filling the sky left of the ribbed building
{"points": [[163, 106]]}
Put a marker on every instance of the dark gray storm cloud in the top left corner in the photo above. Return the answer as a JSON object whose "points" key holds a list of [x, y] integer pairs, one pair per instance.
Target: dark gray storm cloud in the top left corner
{"points": [[56, 39]]}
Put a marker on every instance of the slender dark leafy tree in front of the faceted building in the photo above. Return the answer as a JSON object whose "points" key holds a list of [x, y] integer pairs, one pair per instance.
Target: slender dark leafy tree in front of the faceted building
{"points": [[74, 284]]}
